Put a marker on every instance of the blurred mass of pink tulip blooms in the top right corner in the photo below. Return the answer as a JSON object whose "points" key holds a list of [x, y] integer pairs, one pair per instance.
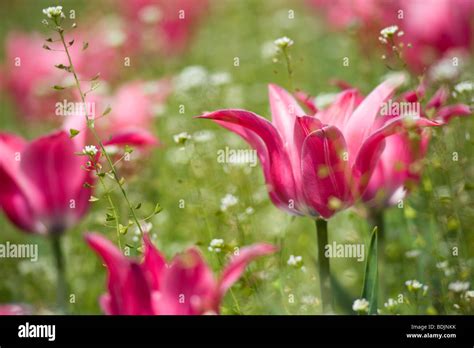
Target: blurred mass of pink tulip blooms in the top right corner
{"points": [[434, 28]]}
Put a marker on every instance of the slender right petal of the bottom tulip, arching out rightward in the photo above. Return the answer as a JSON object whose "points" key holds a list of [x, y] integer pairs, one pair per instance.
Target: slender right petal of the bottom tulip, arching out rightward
{"points": [[234, 269]]}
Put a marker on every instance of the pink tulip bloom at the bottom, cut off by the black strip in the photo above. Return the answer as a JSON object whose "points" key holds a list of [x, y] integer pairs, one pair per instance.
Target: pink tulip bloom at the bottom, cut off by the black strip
{"points": [[185, 286]]}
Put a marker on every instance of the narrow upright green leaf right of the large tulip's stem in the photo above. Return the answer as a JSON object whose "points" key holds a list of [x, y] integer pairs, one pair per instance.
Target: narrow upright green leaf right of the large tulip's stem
{"points": [[370, 289]]}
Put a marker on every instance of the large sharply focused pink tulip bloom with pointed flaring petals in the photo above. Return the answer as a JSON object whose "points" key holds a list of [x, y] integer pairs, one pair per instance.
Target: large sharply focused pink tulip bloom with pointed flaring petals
{"points": [[318, 165]]}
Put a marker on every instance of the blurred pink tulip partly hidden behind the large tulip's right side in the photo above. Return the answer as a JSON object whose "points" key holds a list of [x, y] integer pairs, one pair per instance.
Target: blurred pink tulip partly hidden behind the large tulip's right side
{"points": [[399, 165]]}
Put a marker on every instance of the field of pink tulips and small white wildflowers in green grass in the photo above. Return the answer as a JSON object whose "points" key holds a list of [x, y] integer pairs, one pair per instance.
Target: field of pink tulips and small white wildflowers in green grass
{"points": [[137, 177]]}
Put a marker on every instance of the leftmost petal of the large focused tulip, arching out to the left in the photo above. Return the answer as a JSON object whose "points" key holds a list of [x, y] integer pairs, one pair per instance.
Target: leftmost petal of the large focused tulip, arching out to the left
{"points": [[264, 138]]}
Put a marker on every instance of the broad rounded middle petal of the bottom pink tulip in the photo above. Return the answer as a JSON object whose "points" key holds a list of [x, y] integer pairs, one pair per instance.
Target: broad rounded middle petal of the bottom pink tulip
{"points": [[188, 286]]}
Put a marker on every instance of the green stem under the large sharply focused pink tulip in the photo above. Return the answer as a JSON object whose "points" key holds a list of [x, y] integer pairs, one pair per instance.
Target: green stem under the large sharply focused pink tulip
{"points": [[324, 278]]}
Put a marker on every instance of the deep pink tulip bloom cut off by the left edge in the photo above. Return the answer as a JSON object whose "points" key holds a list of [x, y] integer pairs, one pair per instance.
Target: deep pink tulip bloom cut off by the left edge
{"points": [[42, 187]]}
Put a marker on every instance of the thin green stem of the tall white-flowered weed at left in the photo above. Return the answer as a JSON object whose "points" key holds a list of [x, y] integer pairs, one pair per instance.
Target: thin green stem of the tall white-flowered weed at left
{"points": [[94, 133]]}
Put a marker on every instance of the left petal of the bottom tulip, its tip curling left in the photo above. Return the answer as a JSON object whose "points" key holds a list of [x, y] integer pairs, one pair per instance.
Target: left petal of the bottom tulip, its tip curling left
{"points": [[129, 293]]}
